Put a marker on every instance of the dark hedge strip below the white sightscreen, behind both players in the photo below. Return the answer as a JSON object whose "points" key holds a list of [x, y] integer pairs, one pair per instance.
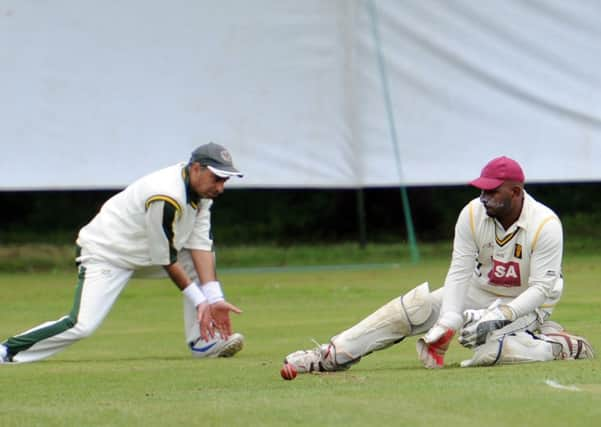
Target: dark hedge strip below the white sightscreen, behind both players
{"points": [[286, 217]]}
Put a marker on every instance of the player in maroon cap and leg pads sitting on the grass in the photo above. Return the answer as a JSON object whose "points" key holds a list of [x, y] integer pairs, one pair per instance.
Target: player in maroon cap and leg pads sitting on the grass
{"points": [[503, 283]]}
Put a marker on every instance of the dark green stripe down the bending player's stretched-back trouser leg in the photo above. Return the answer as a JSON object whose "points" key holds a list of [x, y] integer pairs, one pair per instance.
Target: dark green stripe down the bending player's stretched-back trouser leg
{"points": [[25, 341]]}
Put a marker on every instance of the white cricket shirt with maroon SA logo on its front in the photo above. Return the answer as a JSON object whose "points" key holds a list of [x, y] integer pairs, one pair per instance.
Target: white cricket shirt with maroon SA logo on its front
{"points": [[522, 262]]}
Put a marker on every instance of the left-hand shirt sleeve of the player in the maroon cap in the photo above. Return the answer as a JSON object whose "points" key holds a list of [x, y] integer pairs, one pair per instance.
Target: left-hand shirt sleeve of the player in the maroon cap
{"points": [[460, 271]]}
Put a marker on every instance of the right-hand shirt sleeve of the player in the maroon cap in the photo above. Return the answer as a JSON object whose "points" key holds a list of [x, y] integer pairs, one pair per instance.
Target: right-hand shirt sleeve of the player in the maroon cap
{"points": [[545, 267]]}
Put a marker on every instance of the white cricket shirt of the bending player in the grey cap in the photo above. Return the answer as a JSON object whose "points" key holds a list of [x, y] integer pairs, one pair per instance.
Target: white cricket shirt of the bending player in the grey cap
{"points": [[149, 222]]}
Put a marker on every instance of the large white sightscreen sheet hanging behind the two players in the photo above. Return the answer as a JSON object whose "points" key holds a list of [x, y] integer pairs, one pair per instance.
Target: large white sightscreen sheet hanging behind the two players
{"points": [[95, 94]]}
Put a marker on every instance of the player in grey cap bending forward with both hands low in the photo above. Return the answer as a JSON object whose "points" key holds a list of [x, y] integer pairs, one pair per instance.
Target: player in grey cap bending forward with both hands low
{"points": [[162, 219]]}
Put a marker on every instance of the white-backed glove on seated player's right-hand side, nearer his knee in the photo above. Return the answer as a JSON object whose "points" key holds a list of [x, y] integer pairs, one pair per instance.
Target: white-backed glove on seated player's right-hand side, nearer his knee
{"points": [[480, 323]]}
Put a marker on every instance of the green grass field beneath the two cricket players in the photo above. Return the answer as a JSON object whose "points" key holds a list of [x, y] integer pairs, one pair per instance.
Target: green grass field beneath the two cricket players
{"points": [[136, 371]]}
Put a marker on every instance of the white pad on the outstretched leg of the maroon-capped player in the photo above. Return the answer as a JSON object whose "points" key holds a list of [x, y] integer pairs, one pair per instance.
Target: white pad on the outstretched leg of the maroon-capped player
{"points": [[386, 326]]}
